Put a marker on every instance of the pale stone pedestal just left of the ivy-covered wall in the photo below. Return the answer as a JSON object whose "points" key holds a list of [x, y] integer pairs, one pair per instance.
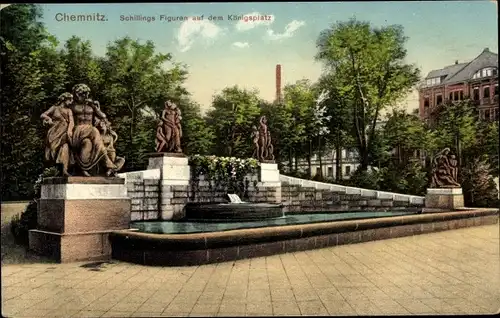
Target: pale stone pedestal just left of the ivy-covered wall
{"points": [[175, 174]]}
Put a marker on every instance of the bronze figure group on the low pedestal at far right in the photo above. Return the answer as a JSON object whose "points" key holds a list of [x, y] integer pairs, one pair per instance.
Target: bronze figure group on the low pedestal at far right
{"points": [[445, 170]]}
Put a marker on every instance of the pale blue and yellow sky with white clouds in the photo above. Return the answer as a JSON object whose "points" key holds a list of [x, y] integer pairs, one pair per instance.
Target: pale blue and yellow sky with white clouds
{"points": [[222, 53]]}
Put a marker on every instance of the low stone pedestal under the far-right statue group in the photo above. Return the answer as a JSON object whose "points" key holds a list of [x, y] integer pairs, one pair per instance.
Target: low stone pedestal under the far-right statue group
{"points": [[443, 199]]}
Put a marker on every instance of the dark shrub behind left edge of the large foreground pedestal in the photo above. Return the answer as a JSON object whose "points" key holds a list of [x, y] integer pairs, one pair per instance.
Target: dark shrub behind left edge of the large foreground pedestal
{"points": [[20, 225]]}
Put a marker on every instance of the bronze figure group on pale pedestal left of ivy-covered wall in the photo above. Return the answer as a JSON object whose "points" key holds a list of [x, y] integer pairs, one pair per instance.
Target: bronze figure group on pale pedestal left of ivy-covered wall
{"points": [[168, 138]]}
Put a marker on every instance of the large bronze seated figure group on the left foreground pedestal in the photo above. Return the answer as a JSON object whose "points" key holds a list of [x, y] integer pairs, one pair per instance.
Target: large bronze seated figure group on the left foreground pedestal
{"points": [[77, 139]]}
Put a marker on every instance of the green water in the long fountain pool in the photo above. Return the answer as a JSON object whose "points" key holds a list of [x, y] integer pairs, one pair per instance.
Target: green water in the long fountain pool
{"points": [[182, 227]]}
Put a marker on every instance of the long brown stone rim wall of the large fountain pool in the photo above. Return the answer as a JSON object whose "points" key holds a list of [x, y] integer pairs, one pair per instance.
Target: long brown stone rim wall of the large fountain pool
{"points": [[212, 247]]}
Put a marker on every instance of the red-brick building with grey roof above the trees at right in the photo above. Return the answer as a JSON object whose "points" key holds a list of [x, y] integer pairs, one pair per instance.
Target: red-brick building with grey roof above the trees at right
{"points": [[476, 80]]}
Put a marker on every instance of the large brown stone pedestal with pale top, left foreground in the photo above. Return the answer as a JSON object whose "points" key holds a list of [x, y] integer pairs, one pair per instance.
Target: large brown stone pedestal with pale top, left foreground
{"points": [[75, 216]]}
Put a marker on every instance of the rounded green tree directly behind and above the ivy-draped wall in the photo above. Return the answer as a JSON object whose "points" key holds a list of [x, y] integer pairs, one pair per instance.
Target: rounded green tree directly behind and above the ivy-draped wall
{"points": [[234, 112]]}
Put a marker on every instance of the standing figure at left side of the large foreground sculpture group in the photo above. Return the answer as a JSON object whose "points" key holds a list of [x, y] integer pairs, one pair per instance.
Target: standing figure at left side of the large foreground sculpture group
{"points": [[60, 119]]}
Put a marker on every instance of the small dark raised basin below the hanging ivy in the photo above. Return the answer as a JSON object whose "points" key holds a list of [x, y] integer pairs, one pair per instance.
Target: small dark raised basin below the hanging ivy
{"points": [[232, 211]]}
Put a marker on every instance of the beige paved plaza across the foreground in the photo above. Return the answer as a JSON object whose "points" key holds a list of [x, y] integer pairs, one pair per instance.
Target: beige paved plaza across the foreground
{"points": [[452, 272]]}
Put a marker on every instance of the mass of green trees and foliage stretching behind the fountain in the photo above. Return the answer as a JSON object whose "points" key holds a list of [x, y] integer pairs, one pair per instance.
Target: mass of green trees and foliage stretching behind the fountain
{"points": [[365, 75]]}
